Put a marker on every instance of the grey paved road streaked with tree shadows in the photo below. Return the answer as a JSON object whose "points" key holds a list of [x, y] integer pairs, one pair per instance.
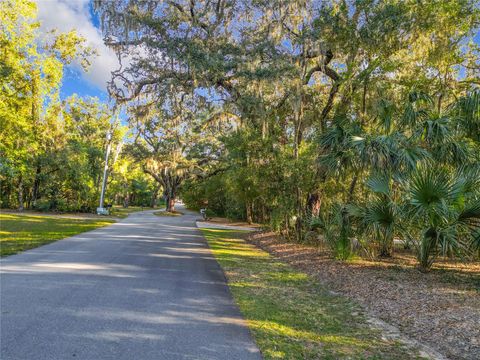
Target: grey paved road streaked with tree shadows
{"points": [[147, 287]]}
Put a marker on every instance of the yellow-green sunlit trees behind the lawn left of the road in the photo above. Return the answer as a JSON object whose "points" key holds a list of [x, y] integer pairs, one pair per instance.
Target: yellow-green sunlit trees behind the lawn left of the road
{"points": [[52, 151]]}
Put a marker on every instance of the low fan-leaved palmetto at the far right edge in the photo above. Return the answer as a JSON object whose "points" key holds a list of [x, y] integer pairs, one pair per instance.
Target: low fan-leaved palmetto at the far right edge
{"points": [[443, 209]]}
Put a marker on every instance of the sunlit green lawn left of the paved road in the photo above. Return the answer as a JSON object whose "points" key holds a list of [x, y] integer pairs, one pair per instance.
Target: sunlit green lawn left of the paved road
{"points": [[23, 232]]}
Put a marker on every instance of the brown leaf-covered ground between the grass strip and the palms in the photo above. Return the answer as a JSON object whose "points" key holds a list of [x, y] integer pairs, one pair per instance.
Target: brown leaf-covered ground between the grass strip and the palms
{"points": [[440, 309]]}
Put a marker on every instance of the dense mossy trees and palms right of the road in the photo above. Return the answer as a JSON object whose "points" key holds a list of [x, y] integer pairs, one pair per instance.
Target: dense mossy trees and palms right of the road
{"points": [[353, 123]]}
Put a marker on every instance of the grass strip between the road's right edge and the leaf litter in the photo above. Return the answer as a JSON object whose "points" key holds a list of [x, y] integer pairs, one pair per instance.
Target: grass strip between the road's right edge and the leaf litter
{"points": [[290, 315]]}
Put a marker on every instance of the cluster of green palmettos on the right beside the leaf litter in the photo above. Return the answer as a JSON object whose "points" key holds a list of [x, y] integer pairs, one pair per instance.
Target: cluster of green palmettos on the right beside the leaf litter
{"points": [[433, 205]]}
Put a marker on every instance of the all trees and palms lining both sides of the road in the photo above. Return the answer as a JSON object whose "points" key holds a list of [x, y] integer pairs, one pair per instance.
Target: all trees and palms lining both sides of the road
{"points": [[337, 123]]}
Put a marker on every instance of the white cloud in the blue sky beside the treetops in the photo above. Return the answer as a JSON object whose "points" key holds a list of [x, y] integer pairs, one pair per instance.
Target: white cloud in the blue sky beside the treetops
{"points": [[66, 15]]}
